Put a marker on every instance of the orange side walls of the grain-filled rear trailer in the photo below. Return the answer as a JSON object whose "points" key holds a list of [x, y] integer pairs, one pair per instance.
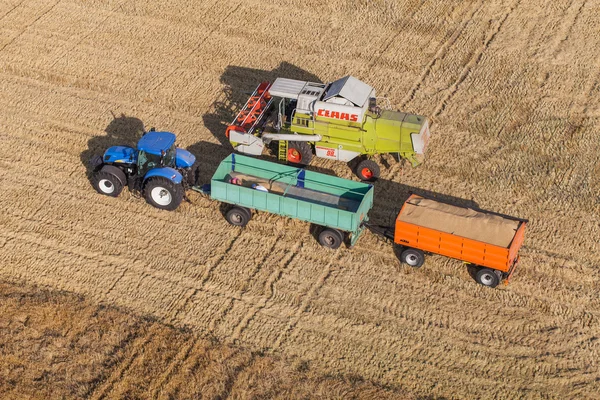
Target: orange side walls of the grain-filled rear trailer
{"points": [[458, 247]]}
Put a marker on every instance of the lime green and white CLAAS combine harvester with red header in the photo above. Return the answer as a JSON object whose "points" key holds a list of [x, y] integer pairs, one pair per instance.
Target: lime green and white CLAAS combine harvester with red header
{"points": [[342, 120]]}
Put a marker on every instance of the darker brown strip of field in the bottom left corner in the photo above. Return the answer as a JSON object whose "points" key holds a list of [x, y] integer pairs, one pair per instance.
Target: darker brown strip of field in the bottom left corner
{"points": [[57, 345]]}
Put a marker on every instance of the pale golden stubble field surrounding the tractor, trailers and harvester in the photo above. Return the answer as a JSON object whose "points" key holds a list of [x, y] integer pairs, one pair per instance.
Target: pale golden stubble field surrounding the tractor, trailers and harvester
{"points": [[512, 88]]}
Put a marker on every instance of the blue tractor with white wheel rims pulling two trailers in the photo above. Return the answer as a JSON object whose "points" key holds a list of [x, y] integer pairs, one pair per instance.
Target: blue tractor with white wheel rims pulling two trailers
{"points": [[157, 168]]}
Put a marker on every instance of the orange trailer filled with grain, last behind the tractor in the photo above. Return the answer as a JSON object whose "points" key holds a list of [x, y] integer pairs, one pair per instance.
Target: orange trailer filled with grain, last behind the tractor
{"points": [[488, 240]]}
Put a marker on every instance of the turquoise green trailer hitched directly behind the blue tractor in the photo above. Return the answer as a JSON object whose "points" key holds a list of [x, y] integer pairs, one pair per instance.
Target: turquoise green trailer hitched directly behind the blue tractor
{"points": [[339, 206]]}
